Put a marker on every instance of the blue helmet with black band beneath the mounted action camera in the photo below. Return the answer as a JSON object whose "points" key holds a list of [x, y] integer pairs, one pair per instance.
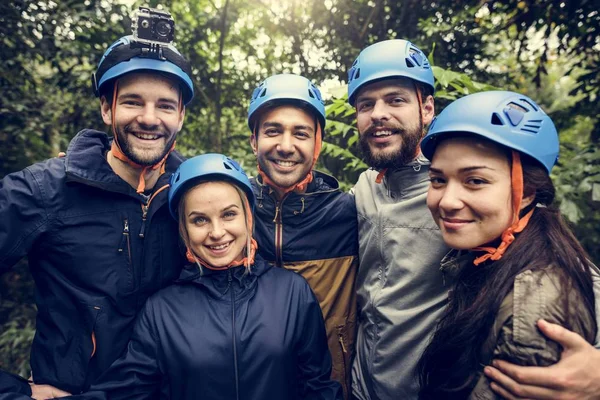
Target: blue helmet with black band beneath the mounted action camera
{"points": [[126, 55]]}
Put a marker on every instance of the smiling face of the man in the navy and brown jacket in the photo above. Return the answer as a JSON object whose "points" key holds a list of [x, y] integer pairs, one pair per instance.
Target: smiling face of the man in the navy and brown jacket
{"points": [[285, 145]]}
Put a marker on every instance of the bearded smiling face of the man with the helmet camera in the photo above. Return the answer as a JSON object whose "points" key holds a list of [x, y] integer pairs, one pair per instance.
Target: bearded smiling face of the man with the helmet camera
{"points": [[147, 116]]}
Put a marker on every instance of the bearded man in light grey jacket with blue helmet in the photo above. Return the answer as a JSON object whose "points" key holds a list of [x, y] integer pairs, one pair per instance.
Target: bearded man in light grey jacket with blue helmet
{"points": [[401, 292]]}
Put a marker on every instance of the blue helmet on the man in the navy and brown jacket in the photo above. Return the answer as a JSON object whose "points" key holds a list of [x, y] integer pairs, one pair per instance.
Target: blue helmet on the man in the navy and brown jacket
{"points": [[286, 89]]}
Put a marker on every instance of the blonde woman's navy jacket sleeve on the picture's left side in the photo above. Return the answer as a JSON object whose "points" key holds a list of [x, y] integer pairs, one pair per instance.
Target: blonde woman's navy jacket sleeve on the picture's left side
{"points": [[136, 374]]}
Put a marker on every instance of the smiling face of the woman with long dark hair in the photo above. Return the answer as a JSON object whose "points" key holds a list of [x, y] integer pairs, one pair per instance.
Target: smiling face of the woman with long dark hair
{"points": [[470, 192]]}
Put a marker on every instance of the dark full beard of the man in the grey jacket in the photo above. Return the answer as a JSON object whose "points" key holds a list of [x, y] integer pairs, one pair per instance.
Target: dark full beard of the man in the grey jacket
{"points": [[406, 153]]}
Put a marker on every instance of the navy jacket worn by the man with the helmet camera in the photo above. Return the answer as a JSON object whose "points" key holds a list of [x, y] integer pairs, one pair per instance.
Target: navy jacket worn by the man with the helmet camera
{"points": [[97, 250]]}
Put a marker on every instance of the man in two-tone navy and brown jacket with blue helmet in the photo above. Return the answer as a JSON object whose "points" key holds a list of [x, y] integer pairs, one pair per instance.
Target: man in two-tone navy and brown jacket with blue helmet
{"points": [[304, 222]]}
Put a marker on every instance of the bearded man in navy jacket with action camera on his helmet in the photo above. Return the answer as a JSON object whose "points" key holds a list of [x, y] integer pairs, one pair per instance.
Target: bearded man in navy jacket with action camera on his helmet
{"points": [[95, 224]]}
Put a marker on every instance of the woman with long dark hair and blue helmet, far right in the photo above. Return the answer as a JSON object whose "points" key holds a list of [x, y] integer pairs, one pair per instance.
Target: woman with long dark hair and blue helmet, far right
{"points": [[515, 261]]}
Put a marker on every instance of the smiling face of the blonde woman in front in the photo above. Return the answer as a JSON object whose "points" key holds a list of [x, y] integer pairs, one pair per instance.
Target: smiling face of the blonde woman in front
{"points": [[215, 222]]}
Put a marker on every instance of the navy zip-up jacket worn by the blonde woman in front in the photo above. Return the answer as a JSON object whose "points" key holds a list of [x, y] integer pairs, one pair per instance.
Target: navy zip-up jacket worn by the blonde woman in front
{"points": [[226, 335]]}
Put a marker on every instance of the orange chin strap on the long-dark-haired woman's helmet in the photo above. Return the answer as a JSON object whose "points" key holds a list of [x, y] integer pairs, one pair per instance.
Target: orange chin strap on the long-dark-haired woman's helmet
{"points": [[518, 224]]}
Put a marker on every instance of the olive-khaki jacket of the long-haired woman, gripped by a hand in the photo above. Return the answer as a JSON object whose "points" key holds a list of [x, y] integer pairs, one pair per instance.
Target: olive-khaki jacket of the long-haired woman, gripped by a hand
{"points": [[536, 294]]}
